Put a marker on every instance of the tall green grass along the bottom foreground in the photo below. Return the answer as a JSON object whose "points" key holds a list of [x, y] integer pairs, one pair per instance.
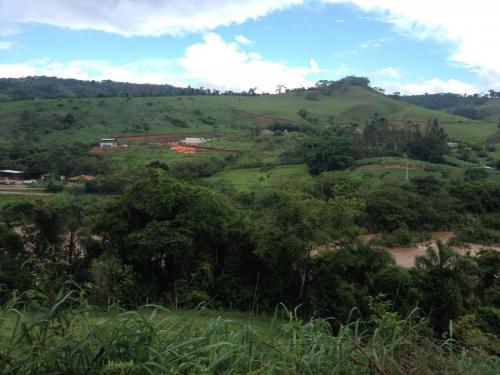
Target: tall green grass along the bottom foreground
{"points": [[60, 337]]}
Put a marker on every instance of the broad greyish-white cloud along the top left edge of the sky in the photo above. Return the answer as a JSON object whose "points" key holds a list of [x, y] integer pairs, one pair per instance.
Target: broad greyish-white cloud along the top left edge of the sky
{"points": [[133, 17]]}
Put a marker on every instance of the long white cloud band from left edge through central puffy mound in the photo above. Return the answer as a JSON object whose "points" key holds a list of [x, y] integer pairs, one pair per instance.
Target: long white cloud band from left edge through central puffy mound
{"points": [[210, 63]]}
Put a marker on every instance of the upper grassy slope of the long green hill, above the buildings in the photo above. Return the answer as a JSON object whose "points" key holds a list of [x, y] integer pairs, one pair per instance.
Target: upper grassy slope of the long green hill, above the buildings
{"points": [[87, 119]]}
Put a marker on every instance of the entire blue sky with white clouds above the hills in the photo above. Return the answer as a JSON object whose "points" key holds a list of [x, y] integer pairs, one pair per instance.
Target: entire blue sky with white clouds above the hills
{"points": [[407, 46]]}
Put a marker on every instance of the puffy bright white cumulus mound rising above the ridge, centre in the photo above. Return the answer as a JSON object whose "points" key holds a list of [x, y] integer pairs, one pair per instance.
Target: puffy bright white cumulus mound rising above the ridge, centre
{"points": [[216, 63]]}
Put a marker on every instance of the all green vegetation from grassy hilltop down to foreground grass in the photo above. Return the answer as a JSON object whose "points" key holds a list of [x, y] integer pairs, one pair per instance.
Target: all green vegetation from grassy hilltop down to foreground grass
{"points": [[257, 224]]}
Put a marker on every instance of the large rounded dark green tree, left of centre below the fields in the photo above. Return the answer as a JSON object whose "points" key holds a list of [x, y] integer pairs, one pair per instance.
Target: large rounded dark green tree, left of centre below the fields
{"points": [[166, 229]]}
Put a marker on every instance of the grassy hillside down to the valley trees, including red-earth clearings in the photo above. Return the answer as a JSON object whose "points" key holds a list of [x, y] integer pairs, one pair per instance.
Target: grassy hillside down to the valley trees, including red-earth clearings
{"points": [[57, 134]]}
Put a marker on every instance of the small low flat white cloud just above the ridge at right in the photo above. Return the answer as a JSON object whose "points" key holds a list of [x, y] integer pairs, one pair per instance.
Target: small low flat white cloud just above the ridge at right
{"points": [[432, 86]]}
